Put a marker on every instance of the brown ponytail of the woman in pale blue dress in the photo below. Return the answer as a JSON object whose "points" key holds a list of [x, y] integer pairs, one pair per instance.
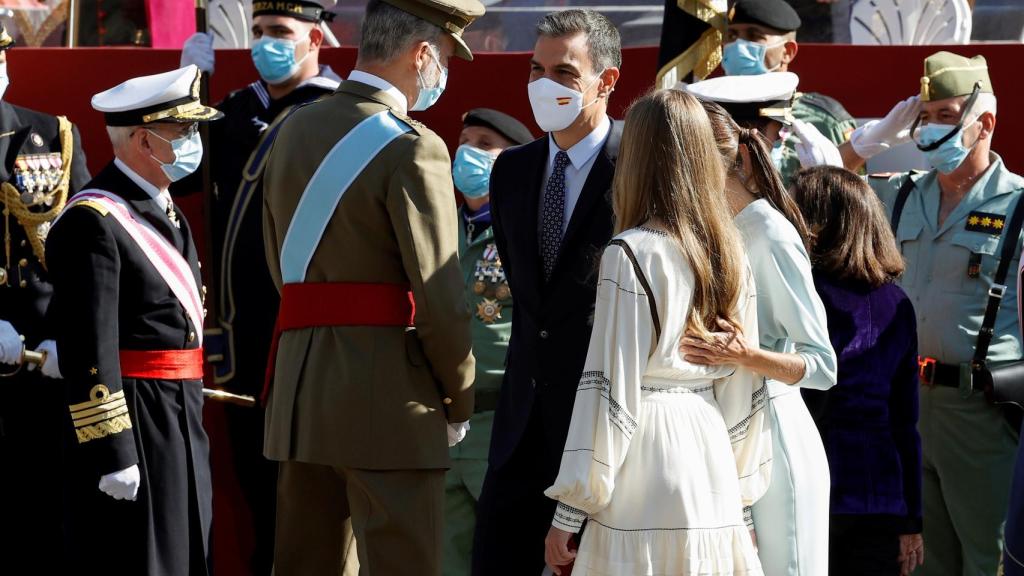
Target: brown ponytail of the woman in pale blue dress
{"points": [[767, 183]]}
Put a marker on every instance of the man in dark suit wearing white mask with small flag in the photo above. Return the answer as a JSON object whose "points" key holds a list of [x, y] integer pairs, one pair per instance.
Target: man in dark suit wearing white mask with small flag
{"points": [[551, 209]]}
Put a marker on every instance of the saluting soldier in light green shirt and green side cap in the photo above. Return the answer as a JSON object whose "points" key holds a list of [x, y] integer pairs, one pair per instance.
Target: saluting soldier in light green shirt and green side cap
{"points": [[950, 229]]}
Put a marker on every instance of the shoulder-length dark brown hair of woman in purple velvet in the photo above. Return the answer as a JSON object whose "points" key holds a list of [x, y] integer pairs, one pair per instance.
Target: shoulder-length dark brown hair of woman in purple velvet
{"points": [[850, 235]]}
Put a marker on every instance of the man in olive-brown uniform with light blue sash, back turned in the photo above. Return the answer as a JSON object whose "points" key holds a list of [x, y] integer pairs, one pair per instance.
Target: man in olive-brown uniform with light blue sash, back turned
{"points": [[374, 371]]}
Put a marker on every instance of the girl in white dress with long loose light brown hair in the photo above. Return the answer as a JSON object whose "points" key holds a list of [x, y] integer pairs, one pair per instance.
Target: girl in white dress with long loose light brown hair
{"points": [[663, 455]]}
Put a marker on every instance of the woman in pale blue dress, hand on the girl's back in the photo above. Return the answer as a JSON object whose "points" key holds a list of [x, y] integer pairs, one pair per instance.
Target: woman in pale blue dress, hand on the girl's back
{"points": [[792, 520]]}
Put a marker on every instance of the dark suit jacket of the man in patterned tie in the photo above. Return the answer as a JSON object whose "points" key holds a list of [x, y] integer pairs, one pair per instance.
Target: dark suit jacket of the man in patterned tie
{"points": [[552, 322]]}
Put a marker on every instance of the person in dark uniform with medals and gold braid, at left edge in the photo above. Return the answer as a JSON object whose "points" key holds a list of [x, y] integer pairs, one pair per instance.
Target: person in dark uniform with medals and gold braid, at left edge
{"points": [[44, 166]]}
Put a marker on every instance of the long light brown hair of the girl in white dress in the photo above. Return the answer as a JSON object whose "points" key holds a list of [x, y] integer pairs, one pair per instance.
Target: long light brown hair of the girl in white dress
{"points": [[669, 172]]}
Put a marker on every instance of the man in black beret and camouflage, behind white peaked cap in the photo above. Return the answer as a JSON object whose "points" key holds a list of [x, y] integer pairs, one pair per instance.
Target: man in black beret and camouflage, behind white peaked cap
{"points": [[762, 38]]}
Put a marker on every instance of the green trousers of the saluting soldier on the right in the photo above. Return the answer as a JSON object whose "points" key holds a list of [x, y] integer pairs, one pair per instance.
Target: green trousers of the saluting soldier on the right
{"points": [[969, 452]]}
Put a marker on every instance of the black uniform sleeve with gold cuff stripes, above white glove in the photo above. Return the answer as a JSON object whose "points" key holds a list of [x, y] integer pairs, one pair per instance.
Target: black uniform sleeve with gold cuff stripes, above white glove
{"points": [[86, 265]]}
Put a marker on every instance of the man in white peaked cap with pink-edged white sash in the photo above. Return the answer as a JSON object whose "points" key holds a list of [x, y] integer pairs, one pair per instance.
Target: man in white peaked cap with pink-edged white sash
{"points": [[131, 318]]}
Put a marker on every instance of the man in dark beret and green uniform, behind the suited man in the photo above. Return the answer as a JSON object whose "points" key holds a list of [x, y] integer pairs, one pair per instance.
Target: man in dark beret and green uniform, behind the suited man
{"points": [[485, 135]]}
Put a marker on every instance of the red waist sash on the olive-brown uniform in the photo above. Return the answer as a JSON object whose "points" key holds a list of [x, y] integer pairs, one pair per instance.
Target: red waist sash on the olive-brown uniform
{"points": [[313, 305]]}
